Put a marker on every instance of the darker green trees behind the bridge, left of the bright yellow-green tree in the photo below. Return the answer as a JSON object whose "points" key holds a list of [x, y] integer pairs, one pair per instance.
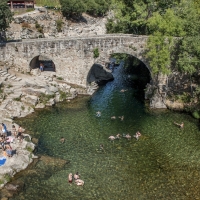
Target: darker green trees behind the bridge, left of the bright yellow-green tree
{"points": [[131, 15]]}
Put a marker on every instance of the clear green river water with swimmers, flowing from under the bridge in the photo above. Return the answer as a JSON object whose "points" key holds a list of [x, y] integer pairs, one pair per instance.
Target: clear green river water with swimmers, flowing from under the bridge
{"points": [[163, 164]]}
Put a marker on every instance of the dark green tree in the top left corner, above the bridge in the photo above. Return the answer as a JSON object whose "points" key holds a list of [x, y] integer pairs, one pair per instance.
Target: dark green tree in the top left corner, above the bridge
{"points": [[6, 15]]}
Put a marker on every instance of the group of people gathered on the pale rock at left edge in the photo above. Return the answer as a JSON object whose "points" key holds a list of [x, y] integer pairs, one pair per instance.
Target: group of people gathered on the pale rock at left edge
{"points": [[7, 137]]}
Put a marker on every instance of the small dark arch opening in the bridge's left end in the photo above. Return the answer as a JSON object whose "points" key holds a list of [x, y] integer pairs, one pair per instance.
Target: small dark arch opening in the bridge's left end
{"points": [[47, 63]]}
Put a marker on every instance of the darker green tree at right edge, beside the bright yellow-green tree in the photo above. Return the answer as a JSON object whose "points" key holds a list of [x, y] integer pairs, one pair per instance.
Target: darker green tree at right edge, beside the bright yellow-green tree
{"points": [[189, 53]]}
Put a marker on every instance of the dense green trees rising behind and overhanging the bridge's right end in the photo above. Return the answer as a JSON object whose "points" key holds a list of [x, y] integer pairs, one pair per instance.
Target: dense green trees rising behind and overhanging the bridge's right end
{"points": [[163, 21]]}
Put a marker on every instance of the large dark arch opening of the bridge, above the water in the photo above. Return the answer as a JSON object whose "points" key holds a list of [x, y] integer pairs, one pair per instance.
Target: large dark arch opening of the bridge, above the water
{"points": [[137, 75]]}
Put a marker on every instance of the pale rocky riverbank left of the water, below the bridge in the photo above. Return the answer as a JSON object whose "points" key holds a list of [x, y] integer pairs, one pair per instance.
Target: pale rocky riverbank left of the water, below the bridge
{"points": [[20, 95]]}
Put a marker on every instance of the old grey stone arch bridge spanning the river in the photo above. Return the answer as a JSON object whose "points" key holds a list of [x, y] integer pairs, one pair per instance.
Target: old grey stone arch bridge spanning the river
{"points": [[73, 57]]}
